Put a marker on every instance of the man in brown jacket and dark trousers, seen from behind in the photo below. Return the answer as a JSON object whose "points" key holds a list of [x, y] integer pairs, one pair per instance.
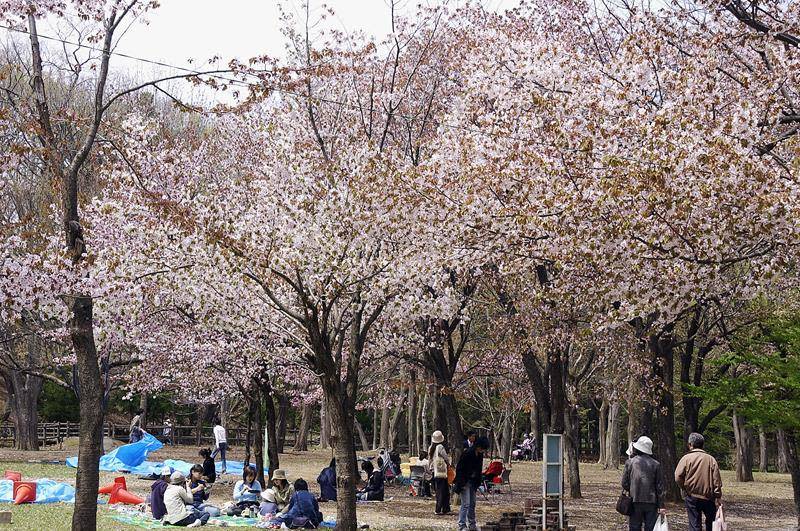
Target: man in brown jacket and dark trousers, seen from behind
{"points": [[697, 474]]}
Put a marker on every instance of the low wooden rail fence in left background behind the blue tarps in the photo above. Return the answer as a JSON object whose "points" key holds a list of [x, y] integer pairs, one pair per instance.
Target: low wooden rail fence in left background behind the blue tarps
{"points": [[54, 433]]}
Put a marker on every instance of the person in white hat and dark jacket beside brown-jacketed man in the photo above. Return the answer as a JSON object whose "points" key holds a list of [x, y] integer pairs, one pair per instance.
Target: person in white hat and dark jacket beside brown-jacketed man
{"points": [[642, 479]]}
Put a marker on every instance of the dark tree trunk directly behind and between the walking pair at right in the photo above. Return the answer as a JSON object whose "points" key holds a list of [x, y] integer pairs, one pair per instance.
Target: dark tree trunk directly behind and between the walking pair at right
{"points": [[661, 420]]}
